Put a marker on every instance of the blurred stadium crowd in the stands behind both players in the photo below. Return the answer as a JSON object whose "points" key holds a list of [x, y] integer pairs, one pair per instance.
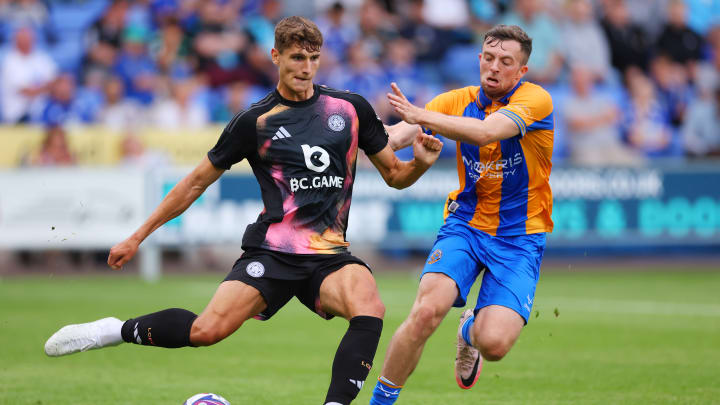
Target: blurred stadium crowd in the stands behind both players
{"points": [[632, 80]]}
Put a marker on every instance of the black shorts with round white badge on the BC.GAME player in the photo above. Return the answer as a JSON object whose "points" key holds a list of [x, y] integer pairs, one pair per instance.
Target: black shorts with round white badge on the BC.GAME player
{"points": [[280, 276]]}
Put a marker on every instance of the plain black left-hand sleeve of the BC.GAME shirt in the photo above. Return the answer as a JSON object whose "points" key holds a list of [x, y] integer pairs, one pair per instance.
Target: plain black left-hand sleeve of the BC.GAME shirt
{"points": [[237, 141]]}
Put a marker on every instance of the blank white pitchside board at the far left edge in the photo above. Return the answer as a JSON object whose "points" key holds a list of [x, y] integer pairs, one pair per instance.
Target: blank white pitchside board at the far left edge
{"points": [[67, 208]]}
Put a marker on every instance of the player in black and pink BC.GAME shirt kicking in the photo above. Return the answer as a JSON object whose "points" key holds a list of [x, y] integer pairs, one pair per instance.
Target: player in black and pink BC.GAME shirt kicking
{"points": [[301, 141]]}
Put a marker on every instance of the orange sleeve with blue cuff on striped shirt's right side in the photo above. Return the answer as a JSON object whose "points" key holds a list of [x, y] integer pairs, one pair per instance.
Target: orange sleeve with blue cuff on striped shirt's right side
{"points": [[530, 108]]}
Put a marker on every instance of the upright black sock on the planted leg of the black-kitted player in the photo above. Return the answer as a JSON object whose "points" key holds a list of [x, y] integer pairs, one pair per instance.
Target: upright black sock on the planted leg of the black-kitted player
{"points": [[353, 359]]}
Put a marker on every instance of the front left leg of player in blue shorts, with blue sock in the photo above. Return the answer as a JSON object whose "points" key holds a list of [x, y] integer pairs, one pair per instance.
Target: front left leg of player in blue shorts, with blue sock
{"points": [[435, 297]]}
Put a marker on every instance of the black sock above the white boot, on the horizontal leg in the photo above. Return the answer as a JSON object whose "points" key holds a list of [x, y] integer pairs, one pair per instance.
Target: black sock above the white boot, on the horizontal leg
{"points": [[167, 328]]}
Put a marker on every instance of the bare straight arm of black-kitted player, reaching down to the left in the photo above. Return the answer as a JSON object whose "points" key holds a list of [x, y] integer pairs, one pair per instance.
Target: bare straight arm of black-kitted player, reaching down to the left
{"points": [[175, 203]]}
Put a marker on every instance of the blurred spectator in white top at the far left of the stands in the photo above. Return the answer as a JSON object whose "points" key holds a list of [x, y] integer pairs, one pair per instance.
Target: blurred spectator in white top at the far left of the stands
{"points": [[25, 77]]}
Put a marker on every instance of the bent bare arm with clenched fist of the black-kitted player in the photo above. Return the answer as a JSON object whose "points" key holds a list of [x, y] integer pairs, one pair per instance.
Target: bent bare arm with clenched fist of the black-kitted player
{"points": [[400, 174]]}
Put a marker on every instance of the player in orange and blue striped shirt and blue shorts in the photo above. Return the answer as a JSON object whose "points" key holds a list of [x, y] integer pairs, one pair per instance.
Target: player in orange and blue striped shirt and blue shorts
{"points": [[495, 221]]}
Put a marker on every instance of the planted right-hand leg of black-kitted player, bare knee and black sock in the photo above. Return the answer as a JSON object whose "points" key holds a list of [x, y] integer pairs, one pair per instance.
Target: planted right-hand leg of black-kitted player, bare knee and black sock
{"points": [[351, 292]]}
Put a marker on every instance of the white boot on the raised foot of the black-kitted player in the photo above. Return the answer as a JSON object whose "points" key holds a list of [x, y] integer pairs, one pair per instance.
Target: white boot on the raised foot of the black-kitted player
{"points": [[85, 336]]}
